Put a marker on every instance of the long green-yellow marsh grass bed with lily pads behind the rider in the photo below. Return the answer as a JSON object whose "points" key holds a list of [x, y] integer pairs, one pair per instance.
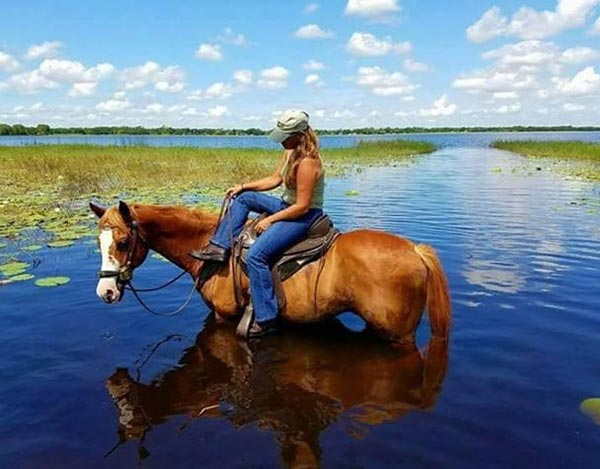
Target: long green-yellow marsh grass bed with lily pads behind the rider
{"points": [[49, 186]]}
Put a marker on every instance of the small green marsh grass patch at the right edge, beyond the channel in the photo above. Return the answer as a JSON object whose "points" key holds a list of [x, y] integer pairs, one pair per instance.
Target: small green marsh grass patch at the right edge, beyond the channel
{"points": [[579, 159]]}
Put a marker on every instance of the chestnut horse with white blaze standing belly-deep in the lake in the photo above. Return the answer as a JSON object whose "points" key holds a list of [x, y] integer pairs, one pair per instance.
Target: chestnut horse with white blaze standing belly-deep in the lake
{"points": [[385, 279]]}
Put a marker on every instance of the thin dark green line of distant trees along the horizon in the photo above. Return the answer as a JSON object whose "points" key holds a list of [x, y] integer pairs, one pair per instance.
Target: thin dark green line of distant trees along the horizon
{"points": [[44, 129]]}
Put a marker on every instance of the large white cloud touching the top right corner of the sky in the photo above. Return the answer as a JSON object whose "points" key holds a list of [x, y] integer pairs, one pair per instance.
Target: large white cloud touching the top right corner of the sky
{"points": [[528, 23]]}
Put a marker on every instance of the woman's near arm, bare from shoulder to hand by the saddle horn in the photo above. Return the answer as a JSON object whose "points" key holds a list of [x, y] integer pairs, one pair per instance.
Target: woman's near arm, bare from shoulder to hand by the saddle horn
{"points": [[306, 178]]}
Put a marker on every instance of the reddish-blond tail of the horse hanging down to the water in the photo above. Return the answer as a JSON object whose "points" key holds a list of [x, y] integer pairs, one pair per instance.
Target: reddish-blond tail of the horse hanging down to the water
{"points": [[438, 297]]}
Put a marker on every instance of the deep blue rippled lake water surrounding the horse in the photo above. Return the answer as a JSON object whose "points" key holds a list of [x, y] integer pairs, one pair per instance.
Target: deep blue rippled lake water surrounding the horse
{"points": [[86, 384]]}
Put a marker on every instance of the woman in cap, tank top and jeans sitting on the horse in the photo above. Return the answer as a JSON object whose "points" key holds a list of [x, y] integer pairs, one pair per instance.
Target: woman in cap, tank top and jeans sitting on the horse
{"points": [[300, 170]]}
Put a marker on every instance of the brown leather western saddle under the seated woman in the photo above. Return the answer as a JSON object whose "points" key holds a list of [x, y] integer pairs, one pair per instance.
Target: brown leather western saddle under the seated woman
{"points": [[320, 237]]}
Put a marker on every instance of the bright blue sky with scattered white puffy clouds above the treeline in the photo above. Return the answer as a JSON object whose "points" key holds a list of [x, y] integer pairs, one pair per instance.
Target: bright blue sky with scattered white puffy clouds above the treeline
{"points": [[348, 63]]}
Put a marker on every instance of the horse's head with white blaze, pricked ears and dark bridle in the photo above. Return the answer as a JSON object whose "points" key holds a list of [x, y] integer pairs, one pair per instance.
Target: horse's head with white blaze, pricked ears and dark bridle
{"points": [[123, 249]]}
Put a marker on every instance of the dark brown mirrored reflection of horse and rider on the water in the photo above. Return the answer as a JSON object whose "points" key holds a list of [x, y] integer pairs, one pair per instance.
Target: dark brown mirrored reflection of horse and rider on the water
{"points": [[295, 384]]}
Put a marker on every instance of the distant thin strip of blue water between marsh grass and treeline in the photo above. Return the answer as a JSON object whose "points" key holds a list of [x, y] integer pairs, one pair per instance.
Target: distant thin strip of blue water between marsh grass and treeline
{"points": [[439, 139]]}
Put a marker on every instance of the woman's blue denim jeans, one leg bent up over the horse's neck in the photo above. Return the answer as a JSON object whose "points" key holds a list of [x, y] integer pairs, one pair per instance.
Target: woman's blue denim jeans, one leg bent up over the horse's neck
{"points": [[268, 247]]}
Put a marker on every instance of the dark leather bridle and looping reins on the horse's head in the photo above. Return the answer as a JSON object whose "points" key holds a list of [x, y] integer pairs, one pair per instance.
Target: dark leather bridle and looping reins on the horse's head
{"points": [[124, 275]]}
